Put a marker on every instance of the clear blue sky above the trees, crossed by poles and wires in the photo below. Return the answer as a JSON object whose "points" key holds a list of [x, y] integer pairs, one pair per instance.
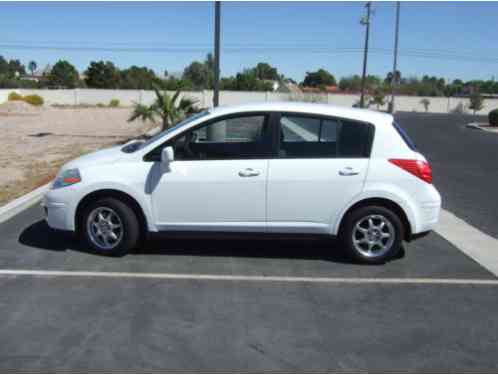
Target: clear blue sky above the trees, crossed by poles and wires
{"points": [[445, 39]]}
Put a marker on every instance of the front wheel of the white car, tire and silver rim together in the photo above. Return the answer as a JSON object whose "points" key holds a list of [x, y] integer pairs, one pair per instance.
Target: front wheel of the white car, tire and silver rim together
{"points": [[117, 217]]}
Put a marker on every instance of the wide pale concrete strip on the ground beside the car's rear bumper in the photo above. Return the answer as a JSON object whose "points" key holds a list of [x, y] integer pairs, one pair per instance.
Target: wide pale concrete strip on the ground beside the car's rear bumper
{"points": [[470, 240]]}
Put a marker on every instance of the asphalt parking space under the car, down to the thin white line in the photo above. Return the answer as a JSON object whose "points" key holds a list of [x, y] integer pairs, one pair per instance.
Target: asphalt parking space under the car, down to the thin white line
{"points": [[29, 244]]}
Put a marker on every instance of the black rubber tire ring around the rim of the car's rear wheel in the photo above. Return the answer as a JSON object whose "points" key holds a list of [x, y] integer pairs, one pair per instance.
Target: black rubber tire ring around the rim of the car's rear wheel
{"points": [[357, 214]]}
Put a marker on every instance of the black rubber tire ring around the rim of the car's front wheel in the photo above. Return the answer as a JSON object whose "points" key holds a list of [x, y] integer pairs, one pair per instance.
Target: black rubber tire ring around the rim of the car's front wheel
{"points": [[131, 229]]}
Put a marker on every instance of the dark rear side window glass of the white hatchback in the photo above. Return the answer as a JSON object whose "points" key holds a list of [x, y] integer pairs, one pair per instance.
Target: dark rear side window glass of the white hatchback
{"points": [[319, 137]]}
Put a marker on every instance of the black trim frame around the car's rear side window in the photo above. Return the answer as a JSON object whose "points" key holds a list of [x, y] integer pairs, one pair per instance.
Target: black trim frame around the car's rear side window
{"points": [[368, 146]]}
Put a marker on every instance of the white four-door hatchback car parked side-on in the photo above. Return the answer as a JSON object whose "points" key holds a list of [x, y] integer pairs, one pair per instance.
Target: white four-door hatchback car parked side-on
{"points": [[289, 168]]}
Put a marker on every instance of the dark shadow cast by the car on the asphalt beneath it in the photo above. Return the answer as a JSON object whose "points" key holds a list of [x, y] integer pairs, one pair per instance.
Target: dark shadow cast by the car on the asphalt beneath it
{"points": [[39, 235]]}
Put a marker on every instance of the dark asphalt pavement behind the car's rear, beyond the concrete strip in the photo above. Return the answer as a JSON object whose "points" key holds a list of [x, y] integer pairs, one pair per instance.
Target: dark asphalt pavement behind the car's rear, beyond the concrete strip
{"points": [[464, 162]]}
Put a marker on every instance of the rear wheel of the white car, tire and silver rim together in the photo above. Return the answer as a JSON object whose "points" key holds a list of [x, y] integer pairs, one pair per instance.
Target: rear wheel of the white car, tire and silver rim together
{"points": [[369, 241]]}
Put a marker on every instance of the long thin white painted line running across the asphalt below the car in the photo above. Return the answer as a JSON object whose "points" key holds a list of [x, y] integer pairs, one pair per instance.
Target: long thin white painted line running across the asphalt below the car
{"points": [[286, 279]]}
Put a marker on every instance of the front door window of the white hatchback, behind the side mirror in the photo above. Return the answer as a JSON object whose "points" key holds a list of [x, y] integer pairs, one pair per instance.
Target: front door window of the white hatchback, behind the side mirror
{"points": [[242, 137]]}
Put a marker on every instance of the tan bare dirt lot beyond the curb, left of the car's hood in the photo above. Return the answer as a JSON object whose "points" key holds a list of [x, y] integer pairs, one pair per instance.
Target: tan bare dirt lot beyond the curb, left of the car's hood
{"points": [[33, 148]]}
